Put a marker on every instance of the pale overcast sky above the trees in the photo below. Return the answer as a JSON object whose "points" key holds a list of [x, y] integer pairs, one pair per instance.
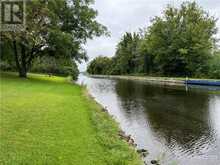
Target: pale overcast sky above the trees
{"points": [[122, 16]]}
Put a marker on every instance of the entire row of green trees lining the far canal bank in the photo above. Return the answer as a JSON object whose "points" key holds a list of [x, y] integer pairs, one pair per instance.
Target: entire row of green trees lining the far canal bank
{"points": [[179, 43]]}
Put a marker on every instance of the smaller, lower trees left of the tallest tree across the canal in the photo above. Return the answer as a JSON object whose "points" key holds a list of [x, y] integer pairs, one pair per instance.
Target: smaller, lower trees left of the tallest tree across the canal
{"points": [[126, 60]]}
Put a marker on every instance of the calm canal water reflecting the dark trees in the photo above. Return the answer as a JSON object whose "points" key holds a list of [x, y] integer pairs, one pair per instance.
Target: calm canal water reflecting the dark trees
{"points": [[175, 124]]}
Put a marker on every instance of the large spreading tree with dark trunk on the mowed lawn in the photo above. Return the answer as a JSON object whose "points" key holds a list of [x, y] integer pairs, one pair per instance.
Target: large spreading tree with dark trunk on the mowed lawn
{"points": [[55, 28]]}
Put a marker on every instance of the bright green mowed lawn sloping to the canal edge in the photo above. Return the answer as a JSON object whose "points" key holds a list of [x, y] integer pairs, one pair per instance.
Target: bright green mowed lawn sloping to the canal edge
{"points": [[48, 121]]}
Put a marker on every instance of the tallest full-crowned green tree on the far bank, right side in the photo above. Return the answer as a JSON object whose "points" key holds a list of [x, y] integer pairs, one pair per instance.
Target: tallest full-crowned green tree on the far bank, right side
{"points": [[182, 40]]}
